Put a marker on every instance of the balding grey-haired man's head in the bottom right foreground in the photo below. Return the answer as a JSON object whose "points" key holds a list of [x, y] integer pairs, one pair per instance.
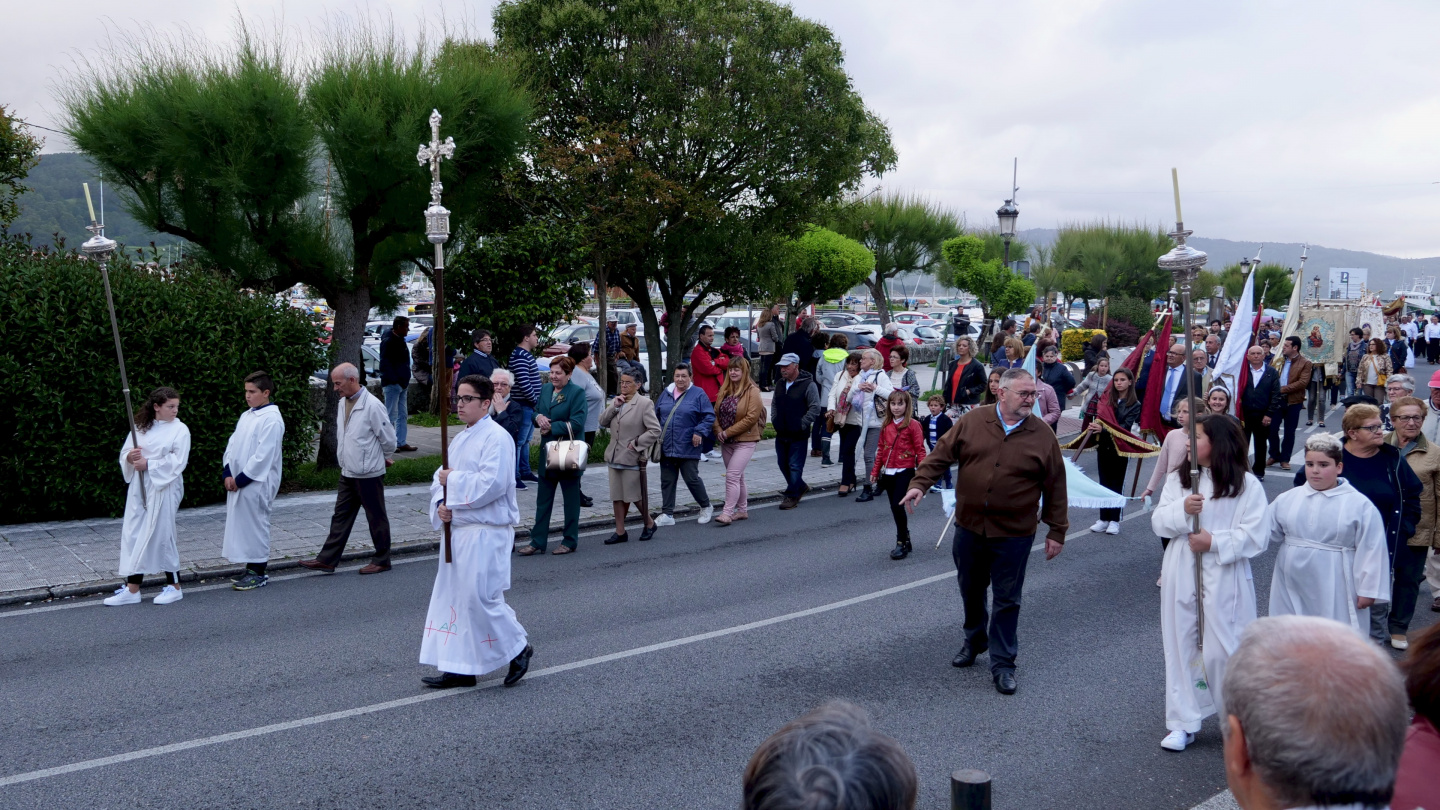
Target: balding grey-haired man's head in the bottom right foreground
{"points": [[1323, 711]]}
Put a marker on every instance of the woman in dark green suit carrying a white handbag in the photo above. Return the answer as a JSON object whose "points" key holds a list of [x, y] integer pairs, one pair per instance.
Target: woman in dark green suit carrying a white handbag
{"points": [[561, 420]]}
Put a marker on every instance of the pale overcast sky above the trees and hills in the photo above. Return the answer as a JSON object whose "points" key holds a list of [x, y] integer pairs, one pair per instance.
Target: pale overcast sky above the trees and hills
{"points": [[1291, 122]]}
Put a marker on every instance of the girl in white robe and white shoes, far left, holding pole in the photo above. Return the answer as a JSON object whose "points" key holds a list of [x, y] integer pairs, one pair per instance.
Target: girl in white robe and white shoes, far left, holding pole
{"points": [[148, 537]]}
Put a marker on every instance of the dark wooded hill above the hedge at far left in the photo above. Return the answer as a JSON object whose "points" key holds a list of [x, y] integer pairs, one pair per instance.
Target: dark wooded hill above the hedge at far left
{"points": [[55, 204]]}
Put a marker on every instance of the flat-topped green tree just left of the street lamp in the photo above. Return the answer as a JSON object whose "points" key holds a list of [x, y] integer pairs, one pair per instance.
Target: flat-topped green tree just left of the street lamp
{"points": [[905, 236]]}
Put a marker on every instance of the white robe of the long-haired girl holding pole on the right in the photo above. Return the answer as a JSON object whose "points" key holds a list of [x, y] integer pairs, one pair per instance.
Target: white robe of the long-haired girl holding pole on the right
{"points": [[1238, 527]]}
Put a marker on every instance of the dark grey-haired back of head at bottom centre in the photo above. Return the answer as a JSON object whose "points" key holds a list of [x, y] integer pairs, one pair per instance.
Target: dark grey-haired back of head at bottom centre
{"points": [[830, 760]]}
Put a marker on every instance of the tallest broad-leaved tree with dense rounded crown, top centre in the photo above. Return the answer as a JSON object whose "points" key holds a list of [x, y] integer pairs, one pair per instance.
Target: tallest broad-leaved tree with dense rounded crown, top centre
{"points": [[741, 107]]}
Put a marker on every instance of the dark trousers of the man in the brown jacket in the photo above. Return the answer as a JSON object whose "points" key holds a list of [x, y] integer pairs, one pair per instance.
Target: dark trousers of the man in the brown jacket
{"points": [[1000, 566]]}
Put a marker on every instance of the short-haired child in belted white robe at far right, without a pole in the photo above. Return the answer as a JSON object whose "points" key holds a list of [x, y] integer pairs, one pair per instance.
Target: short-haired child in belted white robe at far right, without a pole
{"points": [[1334, 561]]}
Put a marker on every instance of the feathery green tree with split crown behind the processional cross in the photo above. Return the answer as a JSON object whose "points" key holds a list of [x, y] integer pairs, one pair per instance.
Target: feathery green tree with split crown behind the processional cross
{"points": [[228, 153]]}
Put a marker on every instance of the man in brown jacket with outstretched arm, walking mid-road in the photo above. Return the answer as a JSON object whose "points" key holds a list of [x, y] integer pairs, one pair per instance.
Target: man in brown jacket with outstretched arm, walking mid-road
{"points": [[1010, 468]]}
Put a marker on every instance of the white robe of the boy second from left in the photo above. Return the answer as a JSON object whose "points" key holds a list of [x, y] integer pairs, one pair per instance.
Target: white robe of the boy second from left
{"points": [[256, 452]]}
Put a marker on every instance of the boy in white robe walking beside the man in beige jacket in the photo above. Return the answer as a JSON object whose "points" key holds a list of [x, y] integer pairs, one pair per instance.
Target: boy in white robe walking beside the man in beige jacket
{"points": [[253, 471]]}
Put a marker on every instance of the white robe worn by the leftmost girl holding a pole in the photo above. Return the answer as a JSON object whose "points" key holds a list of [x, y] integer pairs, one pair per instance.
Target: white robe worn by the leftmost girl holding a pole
{"points": [[148, 537]]}
